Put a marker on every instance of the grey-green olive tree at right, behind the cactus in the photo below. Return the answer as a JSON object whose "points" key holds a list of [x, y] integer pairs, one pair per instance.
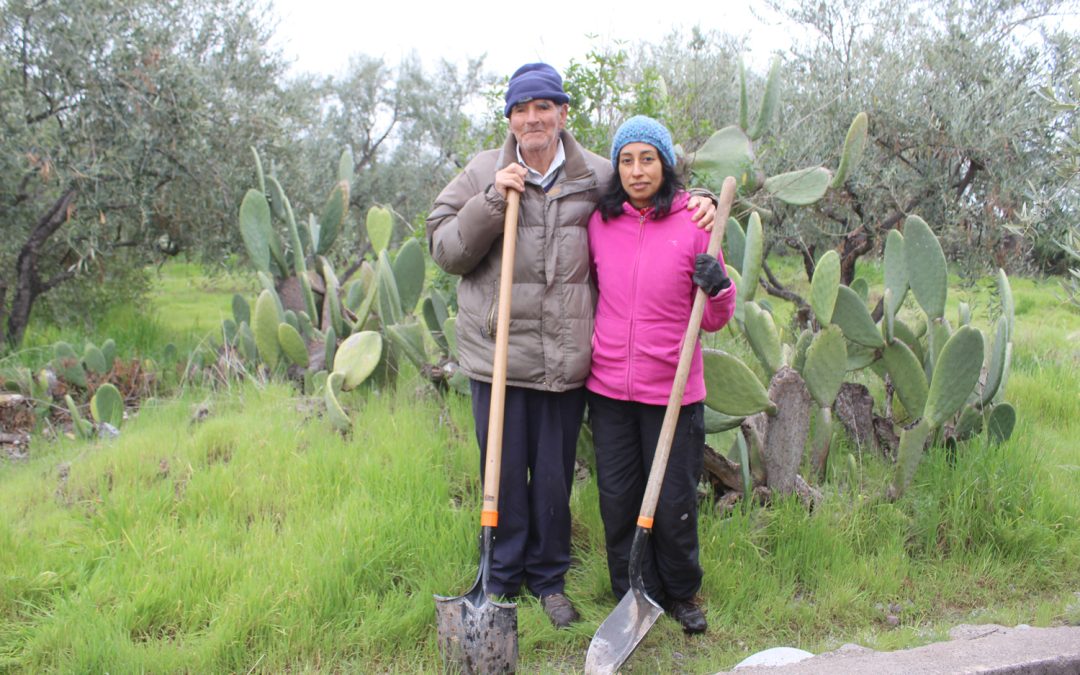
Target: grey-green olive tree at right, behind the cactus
{"points": [[958, 133]]}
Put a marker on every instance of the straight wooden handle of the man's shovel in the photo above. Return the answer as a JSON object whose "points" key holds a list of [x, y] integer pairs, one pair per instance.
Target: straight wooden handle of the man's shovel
{"points": [[490, 512]]}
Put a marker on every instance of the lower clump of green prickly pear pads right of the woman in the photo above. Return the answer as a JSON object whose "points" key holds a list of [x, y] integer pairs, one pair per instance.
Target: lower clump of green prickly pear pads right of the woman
{"points": [[938, 384]]}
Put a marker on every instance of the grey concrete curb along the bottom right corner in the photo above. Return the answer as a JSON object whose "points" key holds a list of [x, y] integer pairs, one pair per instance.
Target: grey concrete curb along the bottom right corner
{"points": [[991, 650]]}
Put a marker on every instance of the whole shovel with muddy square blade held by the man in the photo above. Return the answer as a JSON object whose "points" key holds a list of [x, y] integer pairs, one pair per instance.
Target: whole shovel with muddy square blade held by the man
{"points": [[478, 634]]}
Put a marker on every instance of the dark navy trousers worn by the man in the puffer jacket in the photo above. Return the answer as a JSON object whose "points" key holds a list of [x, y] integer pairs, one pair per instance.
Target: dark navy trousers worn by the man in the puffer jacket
{"points": [[539, 443]]}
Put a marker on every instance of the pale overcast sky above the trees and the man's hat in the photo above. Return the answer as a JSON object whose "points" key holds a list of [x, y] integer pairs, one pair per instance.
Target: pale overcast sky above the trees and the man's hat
{"points": [[321, 35]]}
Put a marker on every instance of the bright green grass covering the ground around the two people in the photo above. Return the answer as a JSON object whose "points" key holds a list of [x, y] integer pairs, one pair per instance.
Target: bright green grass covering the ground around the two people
{"points": [[233, 531]]}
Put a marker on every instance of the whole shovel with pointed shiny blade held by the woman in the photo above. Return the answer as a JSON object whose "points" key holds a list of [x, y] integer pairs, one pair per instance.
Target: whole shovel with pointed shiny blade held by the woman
{"points": [[636, 614]]}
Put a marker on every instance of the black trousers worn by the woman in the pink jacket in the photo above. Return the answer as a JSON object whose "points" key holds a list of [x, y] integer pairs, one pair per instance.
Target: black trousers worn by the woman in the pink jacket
{"points": [[625, 436]]}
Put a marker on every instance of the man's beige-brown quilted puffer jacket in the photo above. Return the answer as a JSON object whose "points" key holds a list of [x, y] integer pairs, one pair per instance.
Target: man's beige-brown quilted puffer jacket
{"points": [[551, 325]]}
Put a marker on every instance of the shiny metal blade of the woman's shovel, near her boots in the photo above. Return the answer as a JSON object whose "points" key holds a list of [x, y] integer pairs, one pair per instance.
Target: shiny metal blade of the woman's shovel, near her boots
{"points": [[622, 632]]}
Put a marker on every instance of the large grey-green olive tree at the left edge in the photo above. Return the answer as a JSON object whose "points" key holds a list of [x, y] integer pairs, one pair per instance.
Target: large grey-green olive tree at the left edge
{"points": [[123, 123]]}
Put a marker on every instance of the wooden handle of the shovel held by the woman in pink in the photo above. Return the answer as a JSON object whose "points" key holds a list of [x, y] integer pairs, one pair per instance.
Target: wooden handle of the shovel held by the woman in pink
{"points": [[683, 372]]}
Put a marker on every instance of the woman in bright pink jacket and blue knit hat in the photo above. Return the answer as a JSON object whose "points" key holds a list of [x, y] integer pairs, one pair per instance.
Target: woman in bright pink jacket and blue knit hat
{"points": [[649, 260]]}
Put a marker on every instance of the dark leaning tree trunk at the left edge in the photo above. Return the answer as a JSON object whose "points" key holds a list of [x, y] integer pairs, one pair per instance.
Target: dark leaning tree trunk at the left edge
{"points": [[29, 285]]}
